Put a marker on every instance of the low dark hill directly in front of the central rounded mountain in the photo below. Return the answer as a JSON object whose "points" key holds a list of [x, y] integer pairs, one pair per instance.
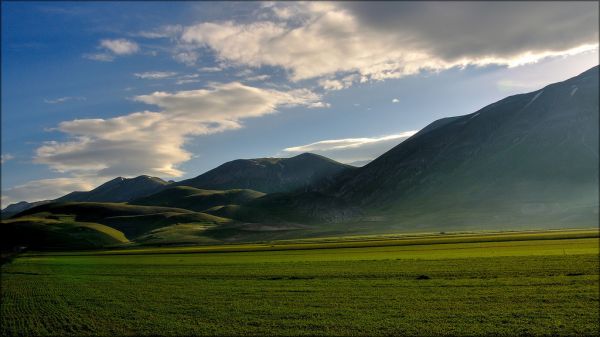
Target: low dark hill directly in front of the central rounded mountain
{"points": [[196, 199]]}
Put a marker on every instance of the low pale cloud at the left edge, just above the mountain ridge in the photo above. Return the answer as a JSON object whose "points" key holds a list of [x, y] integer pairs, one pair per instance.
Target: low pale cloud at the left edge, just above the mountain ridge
{"points": [[46, 189]]}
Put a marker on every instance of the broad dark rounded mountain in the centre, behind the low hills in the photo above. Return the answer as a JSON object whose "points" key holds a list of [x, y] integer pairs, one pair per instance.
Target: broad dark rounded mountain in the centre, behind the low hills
{"points": [[269, 175]]}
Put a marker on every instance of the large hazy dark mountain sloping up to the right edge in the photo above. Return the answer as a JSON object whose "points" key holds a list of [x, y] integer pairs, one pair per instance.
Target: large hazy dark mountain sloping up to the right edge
{"points": [[526, 161]]}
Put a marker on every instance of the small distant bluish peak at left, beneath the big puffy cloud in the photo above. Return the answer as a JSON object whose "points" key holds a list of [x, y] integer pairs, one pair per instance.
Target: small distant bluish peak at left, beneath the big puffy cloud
{"points": [[118, 190]]}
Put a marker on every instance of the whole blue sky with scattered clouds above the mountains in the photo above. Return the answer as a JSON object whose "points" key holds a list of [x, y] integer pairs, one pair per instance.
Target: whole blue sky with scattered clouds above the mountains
{"points": [[96, 90]]}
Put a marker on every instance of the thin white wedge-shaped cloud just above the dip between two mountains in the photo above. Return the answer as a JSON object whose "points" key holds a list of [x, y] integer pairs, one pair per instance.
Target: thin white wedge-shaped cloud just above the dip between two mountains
{"points": [[353, 149]]}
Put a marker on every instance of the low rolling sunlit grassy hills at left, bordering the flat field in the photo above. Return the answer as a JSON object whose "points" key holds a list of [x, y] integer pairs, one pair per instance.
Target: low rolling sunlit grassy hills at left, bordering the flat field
{"points": [[136, 223]]}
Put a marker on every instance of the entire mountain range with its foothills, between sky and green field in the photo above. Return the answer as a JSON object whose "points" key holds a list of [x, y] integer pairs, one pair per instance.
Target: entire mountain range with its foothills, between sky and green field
{"points": [[526, 161]]}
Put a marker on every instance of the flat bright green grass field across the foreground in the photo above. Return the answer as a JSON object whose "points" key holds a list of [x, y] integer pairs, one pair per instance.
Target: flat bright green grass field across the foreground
{"points": [[536, 283]]}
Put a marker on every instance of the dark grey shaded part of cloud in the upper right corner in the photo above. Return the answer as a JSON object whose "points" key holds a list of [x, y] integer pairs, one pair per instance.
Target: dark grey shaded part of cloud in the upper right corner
{"points": [[453, 30]]}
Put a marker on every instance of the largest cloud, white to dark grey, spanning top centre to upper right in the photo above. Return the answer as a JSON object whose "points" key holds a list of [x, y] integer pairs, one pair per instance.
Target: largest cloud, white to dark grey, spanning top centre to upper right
{"points": [[331, 40]]}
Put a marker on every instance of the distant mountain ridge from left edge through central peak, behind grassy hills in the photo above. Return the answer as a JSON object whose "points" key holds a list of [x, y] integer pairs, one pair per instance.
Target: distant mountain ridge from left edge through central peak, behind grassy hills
{"points": [[262, 174]]}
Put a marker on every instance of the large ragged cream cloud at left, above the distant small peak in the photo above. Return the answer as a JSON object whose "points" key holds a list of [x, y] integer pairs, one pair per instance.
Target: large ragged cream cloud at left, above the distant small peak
{"points": [[150, 142]]}
